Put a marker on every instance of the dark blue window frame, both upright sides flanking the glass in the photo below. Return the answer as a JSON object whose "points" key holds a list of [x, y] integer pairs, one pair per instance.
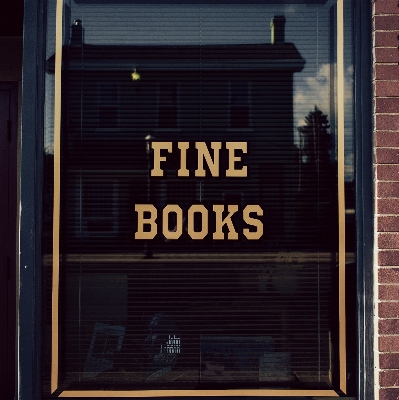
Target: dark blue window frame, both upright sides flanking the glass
{"points": [[31, 179]]}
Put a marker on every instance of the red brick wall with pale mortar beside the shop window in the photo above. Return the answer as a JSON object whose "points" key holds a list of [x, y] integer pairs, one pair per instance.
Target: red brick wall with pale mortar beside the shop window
{"points": [[386, 142]]}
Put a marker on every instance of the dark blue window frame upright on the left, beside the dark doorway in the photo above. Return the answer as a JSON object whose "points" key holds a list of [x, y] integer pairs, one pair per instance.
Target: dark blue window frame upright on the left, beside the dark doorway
{"points": [[30, 185]]}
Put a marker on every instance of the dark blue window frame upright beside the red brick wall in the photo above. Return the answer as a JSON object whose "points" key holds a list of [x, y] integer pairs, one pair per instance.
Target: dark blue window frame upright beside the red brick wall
{"points": [[364, 195]]}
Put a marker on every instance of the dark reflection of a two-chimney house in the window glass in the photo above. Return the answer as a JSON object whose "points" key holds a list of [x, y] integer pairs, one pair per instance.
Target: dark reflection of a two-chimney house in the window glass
{"points": [[185, 93]]}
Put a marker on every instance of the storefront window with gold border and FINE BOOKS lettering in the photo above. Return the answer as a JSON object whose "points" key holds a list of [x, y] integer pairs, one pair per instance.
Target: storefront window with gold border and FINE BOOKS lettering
{"points": [[198, 191]]}
